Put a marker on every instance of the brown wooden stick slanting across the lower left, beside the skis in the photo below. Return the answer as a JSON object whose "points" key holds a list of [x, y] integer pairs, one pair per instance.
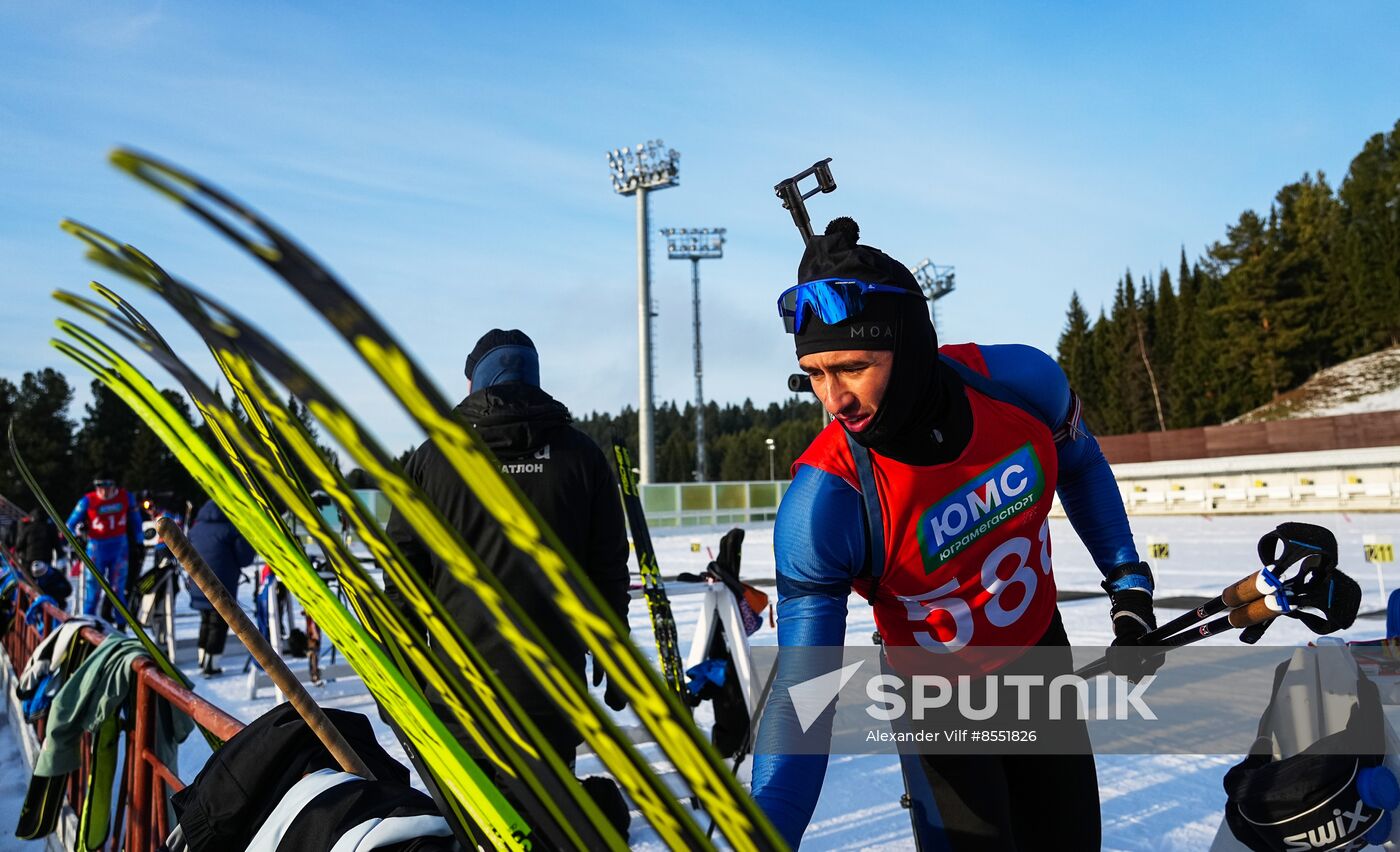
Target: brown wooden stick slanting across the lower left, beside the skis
{"points": [[247, 633]]}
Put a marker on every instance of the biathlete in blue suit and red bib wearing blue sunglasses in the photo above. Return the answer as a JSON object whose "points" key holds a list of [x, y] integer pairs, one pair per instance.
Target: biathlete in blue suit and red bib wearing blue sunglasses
{"points": [[929, 496]]}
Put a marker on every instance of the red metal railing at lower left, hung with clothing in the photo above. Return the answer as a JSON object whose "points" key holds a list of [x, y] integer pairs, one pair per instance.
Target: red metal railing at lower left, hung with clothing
{"points": [[142, 816]]}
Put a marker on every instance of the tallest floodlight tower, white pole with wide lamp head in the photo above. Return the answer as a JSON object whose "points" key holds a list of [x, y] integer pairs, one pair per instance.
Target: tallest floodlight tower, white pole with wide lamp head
{"points": [[639, 171]]}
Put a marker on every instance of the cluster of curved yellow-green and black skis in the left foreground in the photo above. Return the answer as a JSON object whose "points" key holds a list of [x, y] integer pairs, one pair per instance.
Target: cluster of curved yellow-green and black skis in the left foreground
{"points": [[250, 474]]}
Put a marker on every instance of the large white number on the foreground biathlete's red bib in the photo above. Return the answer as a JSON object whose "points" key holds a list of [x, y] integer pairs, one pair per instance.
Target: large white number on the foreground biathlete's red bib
{"points": [[946, 599]]}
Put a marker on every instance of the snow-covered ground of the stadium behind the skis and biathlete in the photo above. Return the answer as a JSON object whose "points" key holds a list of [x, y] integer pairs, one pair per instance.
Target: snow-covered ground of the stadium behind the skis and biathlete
{"points": [[1150, 802]]}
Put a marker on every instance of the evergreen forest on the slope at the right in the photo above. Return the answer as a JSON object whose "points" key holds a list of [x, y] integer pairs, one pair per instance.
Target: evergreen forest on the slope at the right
{"points": [[1311, 283]]}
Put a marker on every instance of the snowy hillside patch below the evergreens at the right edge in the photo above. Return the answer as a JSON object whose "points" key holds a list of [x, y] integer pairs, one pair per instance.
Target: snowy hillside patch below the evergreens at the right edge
{"points": [[1366, 384]]}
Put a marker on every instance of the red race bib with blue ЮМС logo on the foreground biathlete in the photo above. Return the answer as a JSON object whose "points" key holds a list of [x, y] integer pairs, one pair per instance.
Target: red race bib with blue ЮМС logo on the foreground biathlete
{"points": [[967, 544]]}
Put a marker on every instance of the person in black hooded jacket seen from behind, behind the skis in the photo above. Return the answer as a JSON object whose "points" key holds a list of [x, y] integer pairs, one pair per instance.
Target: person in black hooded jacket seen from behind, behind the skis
{"points": [[566, 476]]}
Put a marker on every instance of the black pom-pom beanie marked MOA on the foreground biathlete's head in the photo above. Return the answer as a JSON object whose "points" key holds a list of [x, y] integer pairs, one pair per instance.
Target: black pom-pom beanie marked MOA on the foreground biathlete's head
{"points": [[839, 255]]}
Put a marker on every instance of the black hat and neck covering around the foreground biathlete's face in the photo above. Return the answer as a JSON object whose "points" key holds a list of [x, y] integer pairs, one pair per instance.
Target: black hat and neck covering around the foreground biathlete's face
{"points": [[925, 416]]}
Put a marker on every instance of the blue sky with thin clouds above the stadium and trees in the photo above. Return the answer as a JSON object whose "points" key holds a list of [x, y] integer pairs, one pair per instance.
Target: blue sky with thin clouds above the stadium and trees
{"points": [[447, 160]]}
